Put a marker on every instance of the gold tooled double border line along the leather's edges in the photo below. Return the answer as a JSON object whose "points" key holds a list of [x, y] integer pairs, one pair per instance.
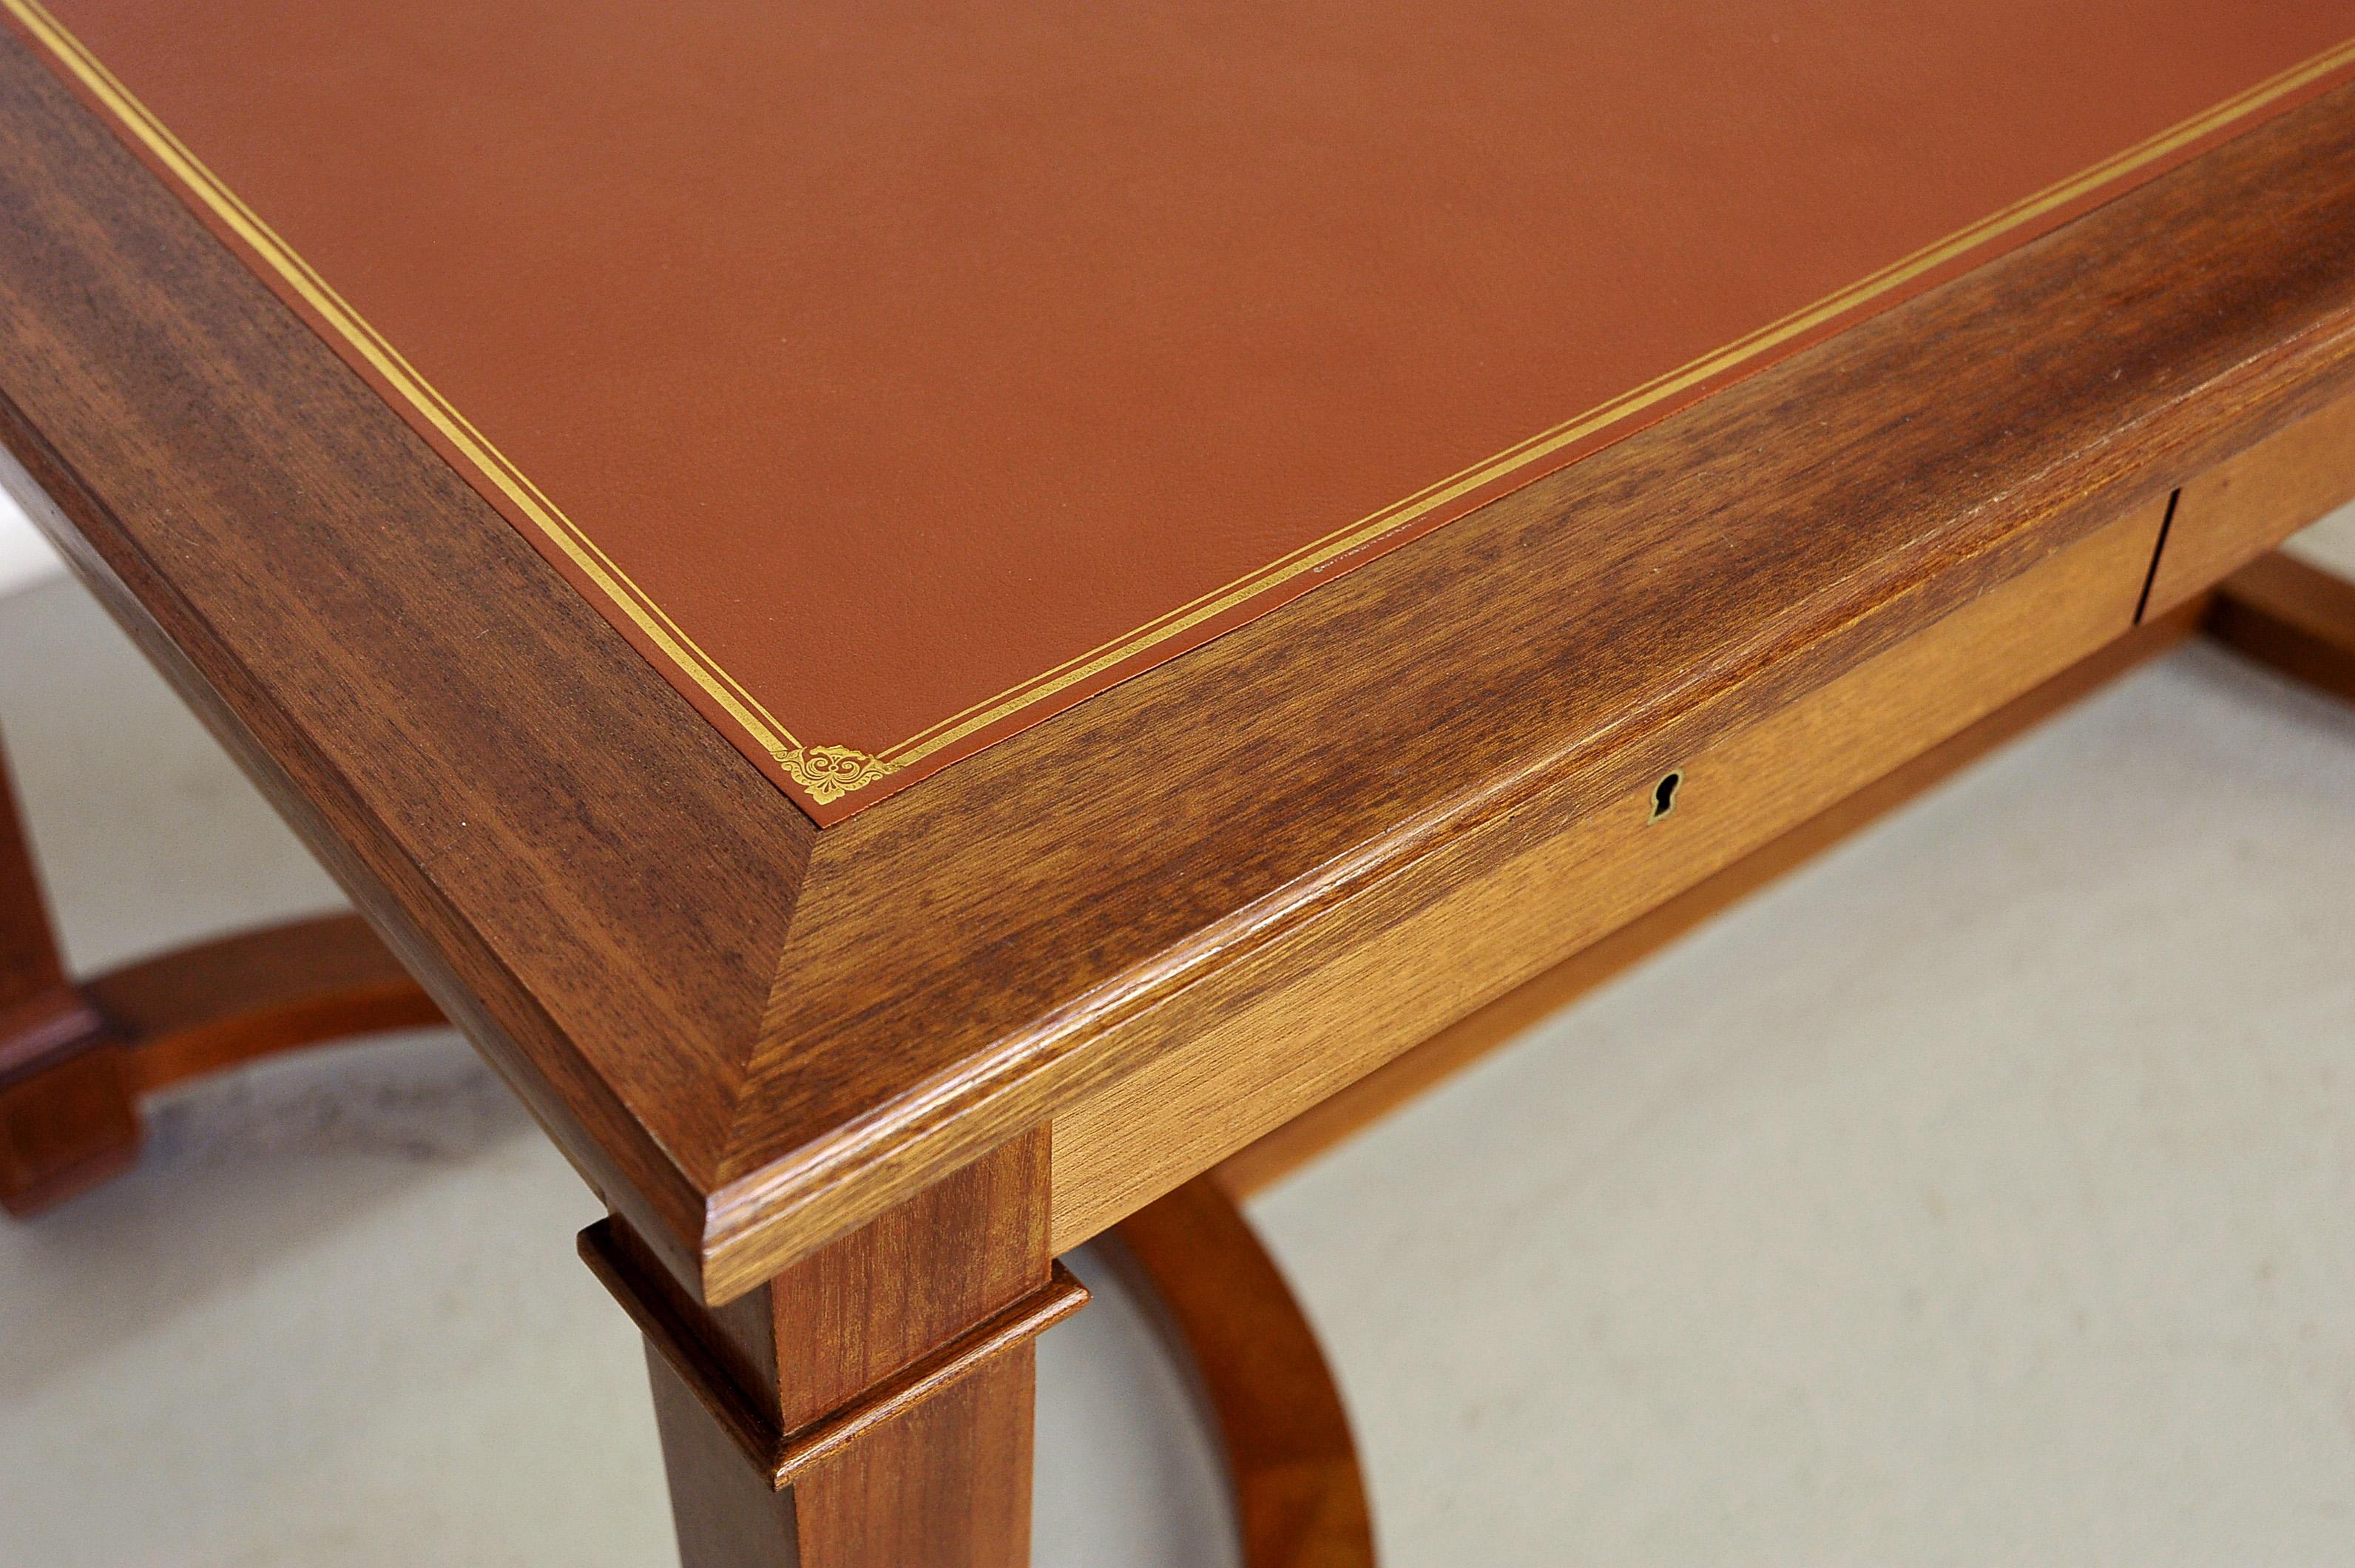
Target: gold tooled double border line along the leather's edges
{"points": [[830, 773]]}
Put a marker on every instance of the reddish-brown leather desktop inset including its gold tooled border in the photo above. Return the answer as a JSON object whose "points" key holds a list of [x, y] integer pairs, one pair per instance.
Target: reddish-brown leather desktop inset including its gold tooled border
{"points": [[898, 376]]}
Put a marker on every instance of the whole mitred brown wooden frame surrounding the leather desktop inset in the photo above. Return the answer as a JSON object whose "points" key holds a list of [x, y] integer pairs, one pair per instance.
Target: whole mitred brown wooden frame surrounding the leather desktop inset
{"points": [[755, 1037]]}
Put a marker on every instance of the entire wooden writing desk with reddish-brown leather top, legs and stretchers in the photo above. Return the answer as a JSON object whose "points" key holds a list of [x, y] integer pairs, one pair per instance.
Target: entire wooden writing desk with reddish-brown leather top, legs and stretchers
{"points": [[868, 364]]}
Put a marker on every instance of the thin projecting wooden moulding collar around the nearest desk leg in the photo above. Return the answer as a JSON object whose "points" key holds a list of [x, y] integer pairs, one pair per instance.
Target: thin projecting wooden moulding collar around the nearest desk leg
{"points": [[781, 1456]]}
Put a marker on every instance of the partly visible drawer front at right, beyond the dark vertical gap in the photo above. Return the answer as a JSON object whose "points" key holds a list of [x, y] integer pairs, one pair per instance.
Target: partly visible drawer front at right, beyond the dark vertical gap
{"points": [[2243, 507]]}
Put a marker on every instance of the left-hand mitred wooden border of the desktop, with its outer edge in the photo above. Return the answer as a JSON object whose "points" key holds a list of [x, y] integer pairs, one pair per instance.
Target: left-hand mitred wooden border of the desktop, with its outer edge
{"points": [[573, 863]]}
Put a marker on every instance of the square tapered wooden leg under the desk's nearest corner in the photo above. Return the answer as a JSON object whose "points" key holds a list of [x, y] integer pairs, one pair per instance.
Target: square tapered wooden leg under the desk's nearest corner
{"points": [[873, 1404]]}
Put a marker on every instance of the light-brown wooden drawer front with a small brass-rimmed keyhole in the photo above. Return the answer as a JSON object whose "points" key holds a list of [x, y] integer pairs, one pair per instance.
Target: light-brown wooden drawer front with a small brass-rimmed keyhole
{"points": [[1395, 971]]}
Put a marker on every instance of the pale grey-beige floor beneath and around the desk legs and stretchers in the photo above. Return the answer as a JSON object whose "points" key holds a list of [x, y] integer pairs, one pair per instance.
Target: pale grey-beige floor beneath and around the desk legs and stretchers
{"points": [[1986, 1192]]}
